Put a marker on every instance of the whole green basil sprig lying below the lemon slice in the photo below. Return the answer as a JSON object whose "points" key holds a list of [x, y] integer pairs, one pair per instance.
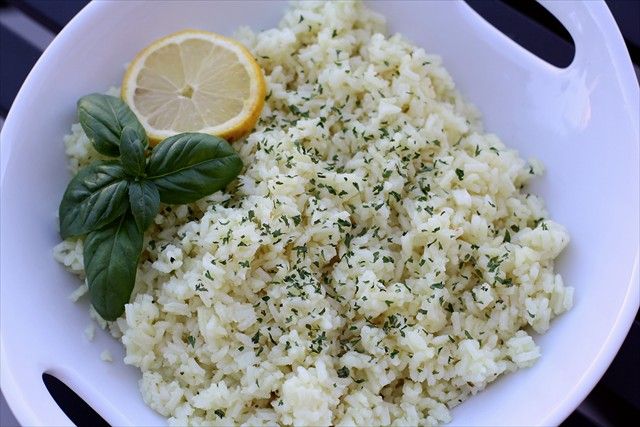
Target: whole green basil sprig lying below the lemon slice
{"points": [[113, 202]]}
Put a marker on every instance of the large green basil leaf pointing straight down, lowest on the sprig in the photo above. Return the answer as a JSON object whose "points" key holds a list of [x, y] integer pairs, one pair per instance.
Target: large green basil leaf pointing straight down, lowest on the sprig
{"points": [[110, 262]]}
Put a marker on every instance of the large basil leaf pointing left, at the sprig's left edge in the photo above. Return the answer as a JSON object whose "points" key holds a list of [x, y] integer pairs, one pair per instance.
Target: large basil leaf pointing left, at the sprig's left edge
{"points": [[95, 197]]}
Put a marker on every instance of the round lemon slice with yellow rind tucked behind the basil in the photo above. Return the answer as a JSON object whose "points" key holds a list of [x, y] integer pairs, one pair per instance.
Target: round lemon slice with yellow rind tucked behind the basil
{"points": [[195, 81]]}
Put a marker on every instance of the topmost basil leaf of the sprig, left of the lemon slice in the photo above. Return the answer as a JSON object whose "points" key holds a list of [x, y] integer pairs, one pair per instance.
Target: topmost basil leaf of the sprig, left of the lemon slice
{"points": [[103, 117]]}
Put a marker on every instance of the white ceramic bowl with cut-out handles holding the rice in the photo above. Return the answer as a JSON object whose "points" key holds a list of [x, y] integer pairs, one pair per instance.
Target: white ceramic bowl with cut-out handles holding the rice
{"points": [[581, 121]]}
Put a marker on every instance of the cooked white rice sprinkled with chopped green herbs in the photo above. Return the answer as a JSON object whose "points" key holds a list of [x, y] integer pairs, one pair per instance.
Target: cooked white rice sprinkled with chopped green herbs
{"points": [[377, 262]]}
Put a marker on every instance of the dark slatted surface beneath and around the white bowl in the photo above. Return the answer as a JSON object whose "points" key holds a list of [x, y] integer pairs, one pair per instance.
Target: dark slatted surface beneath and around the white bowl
{"points": [[615, 401]]}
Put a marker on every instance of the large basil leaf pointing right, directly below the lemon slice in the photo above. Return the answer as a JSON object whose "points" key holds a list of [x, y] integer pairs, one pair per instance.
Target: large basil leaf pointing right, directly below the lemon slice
{"points": [[189, 166]]}
